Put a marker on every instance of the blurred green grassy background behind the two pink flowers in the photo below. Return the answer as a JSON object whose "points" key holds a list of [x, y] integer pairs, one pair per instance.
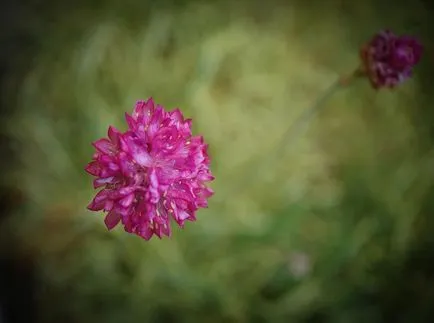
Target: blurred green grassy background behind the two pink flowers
{"points": [[338, 229]]}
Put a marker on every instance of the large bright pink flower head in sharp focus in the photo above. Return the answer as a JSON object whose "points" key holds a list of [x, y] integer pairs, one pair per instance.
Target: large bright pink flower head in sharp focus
{"points": [[153, 172]]}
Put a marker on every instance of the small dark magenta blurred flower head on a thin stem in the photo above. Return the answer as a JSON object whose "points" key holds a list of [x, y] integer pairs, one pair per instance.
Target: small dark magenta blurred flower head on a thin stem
{"points": [[388, 59]]}
